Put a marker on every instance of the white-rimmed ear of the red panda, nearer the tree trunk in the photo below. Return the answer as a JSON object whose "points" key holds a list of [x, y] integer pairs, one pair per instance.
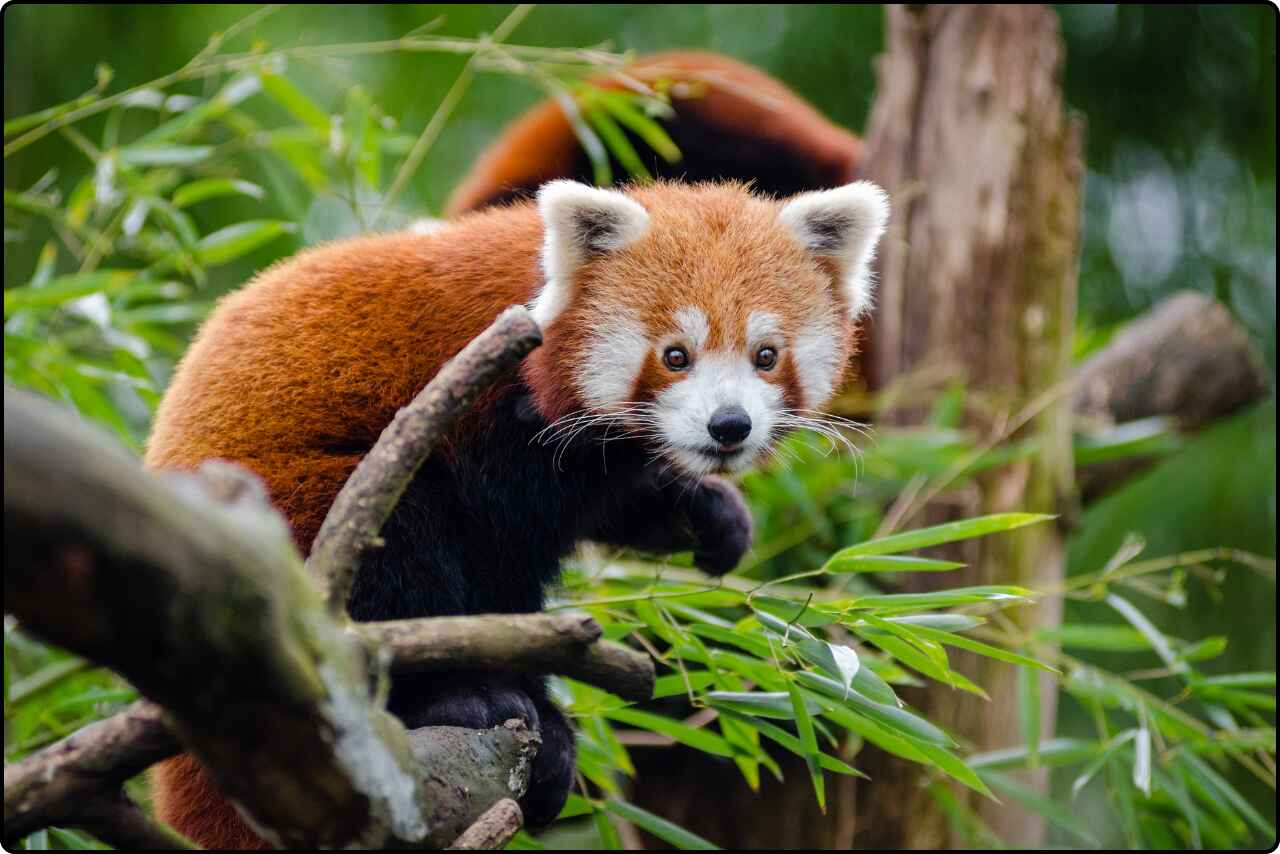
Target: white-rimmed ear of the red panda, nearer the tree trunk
{"points": [[845, 225]]}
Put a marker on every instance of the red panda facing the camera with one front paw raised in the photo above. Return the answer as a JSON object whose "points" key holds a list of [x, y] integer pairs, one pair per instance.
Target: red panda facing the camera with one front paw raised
{"points": [[684, 328]]}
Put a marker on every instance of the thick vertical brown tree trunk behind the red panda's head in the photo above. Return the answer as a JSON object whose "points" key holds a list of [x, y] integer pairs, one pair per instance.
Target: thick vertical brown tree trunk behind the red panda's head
{"points": [[979, 273]]}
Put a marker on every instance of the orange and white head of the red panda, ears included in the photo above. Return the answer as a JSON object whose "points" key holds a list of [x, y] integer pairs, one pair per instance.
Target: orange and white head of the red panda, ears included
{"points": [[702, 318]]}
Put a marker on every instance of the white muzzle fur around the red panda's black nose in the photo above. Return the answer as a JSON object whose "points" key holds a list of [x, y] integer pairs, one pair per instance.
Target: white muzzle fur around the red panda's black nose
{"points": [[716, 380]]}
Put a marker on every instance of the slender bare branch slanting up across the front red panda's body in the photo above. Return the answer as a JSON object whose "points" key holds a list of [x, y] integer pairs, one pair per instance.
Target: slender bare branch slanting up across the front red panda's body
{"points": [[371, 495]]}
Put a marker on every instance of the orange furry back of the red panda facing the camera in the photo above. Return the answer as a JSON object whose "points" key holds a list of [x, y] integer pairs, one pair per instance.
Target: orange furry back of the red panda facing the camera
{"points": [[296, 375]]}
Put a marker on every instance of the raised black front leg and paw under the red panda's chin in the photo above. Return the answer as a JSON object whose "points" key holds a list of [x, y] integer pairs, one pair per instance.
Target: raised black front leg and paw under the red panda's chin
{"points": [[707, 517]]}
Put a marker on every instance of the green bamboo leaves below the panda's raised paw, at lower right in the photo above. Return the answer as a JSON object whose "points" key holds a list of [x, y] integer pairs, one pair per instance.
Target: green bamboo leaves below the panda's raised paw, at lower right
{"points": [[808, 660]]}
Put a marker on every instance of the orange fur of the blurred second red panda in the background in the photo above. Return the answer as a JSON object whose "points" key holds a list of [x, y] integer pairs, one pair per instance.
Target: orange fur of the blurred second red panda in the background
{"points": [[733, 102]]}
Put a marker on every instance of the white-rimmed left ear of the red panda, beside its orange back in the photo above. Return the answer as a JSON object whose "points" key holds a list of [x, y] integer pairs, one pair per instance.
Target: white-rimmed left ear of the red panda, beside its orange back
{"points": [[579, 222]]}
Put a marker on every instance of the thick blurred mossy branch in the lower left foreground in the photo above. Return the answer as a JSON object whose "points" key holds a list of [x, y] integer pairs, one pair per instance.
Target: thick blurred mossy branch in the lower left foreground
{"points": [[207, 609]]}
